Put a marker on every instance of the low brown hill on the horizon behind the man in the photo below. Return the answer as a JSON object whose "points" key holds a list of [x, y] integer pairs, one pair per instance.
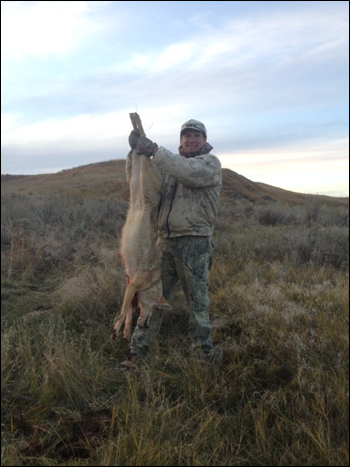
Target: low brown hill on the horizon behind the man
{"points": [[104, 178]]}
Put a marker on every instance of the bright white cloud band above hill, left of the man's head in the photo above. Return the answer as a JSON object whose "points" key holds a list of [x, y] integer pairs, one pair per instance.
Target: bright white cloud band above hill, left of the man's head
{"points": [[84, 139]]}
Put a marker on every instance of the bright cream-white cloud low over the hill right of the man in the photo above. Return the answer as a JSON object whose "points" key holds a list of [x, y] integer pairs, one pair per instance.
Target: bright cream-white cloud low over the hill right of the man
{"points": [[296, 167]]}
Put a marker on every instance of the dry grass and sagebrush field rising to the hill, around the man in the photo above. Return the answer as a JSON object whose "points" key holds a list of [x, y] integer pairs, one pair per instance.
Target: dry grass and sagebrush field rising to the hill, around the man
{"points": [[277, 391]]}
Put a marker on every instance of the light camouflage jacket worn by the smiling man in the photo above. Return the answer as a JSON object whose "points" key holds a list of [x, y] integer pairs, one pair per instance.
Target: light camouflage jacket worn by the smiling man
{"points": [[191, 188]]}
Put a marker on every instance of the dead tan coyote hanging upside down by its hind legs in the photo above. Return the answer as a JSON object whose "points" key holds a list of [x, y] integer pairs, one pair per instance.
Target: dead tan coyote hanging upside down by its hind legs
{"points": [[140, 254]]}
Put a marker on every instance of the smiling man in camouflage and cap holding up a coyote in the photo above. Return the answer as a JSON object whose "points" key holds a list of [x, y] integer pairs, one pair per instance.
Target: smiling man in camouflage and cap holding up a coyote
{"points": [[188, 209]]}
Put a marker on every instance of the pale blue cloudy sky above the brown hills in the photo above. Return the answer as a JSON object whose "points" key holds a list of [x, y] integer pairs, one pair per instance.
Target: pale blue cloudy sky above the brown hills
{"points": [[269, 79]]}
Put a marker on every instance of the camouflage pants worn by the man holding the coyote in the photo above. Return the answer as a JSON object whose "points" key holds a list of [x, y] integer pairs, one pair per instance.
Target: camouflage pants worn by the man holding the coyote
{"points": [[185, 259]]}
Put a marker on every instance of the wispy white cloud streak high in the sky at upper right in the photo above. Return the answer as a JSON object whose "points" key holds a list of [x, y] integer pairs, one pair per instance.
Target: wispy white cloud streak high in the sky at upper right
{"points": [[283, 40]]}
